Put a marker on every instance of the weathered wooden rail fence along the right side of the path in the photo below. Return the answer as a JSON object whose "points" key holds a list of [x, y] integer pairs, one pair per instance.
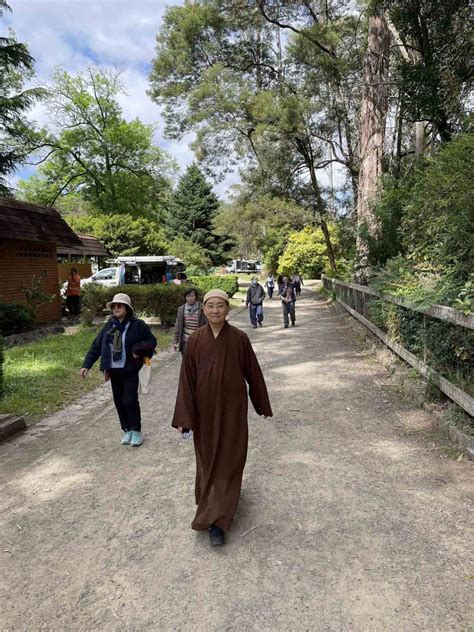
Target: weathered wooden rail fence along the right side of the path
{"points": [[354, 299]]}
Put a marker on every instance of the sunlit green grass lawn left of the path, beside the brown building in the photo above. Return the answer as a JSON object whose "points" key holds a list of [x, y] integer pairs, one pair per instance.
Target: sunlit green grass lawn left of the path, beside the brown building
{"points": [[42, 377]]}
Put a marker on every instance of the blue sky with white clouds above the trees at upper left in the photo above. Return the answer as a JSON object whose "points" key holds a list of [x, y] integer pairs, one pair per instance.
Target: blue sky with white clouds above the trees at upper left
{"points": [[74, 33]]}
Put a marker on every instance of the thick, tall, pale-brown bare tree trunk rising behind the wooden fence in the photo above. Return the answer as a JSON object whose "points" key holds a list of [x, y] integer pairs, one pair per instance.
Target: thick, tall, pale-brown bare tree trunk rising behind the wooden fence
{"points": [[372, 131]]}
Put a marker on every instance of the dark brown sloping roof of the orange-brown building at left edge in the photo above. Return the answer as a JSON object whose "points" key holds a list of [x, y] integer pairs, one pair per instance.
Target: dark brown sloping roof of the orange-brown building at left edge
{"points": [[31, 222]]}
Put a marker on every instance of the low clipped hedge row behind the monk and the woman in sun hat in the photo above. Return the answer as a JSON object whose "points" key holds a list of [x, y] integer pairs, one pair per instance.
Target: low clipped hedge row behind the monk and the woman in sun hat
{"points": [[151, 300]]}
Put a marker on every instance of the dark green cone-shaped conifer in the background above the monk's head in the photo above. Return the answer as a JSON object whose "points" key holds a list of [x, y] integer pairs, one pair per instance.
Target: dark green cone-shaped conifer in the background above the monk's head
{"points": [[193, 207]]}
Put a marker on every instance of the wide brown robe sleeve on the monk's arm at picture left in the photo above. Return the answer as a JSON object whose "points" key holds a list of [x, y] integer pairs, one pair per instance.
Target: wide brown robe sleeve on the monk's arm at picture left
{"points": [[185, 408]]}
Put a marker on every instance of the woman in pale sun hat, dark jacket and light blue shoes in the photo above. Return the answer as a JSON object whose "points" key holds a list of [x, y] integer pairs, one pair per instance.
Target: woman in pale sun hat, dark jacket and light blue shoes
{"points": [[121, 345]]}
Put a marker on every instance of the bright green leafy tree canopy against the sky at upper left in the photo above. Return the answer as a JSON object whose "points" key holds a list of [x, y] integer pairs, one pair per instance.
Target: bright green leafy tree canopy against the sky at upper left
{"points": [[94, 152]]}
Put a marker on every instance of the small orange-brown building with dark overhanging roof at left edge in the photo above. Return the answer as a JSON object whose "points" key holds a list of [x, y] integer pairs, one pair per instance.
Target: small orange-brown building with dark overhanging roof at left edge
{"points": [[29, 238]]}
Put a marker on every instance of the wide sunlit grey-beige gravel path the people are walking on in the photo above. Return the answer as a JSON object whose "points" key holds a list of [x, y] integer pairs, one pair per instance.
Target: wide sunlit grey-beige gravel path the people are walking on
{"points": [[349, 518]]}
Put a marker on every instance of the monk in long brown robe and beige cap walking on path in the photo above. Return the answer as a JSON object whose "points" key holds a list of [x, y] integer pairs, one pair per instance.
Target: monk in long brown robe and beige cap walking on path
{"points": [[212, 401]]}
